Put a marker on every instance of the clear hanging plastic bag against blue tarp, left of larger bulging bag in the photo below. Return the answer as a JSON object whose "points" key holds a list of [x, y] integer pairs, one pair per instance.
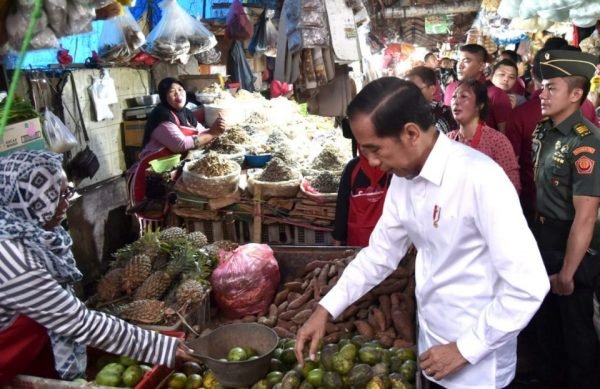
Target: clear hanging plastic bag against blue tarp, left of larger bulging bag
{"points": [[121, 38]]}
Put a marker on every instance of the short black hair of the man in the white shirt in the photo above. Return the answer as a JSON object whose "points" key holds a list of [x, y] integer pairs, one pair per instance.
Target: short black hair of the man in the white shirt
{"points": [[390, 103]]}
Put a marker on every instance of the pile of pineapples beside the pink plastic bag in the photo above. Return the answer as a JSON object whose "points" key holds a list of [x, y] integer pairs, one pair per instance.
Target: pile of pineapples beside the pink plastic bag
{"points": [[159, 278]]}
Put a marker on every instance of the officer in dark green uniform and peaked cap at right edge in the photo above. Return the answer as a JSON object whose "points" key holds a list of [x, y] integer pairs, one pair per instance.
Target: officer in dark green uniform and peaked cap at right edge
{"points": [[566, 151]]}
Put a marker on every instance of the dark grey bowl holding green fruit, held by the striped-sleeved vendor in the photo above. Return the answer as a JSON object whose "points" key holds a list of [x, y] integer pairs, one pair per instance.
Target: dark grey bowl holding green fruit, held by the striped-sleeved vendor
{"points": [[214, 346]]}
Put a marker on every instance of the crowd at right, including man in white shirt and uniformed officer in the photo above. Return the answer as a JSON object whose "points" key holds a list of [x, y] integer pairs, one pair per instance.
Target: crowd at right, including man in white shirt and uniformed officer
{"points": [[504, 243]]}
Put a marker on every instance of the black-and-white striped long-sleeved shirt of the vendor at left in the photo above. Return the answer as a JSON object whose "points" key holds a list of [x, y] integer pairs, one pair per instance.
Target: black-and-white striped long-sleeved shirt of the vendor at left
{"points": [[27, 288]]}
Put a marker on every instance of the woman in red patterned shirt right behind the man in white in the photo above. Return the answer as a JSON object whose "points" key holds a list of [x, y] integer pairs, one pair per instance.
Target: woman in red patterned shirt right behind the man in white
{"points": [[469, 107]]}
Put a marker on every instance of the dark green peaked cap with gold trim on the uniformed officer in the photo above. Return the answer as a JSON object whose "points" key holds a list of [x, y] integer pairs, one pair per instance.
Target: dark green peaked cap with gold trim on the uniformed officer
{"points": [[563, 63]]}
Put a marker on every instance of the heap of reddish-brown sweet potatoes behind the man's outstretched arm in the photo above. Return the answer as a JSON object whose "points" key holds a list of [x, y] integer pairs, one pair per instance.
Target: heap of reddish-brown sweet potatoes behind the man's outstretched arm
{"points": [[386, 313]]}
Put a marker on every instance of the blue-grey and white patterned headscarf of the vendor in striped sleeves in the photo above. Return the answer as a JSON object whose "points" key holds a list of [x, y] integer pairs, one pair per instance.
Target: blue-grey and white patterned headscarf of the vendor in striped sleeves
{"points": [[30, 184]]}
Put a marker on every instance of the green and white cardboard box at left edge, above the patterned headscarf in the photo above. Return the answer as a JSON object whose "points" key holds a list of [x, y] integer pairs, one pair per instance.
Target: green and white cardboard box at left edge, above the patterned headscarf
{"points": [[22, 135]]}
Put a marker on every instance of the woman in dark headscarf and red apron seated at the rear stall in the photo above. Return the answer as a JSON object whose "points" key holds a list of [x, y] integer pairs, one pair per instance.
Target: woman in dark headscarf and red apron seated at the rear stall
{"points": [[171, 129]]}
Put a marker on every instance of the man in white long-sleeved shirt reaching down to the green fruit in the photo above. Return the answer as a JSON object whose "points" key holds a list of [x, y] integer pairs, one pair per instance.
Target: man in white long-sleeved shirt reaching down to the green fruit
{"points": [[479, 274]]}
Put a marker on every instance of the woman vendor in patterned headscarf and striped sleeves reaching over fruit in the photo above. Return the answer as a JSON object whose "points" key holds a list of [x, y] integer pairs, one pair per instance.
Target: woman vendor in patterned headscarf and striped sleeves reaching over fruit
{"points": [[44, 328]]}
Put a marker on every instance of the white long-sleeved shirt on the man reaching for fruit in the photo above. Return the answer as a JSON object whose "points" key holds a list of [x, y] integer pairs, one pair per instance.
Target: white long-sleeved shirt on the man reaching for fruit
{"points": [[479, 274]]}
